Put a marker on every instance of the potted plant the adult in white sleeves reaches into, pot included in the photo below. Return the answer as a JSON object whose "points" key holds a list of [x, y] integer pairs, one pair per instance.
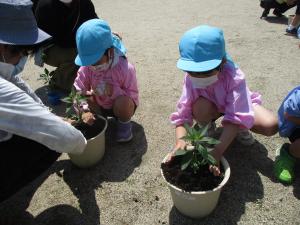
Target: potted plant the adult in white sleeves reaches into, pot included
{"points": [[94, 133]]}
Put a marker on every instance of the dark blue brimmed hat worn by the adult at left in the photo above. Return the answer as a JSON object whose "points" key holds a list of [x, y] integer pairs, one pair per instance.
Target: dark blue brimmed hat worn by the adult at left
{"points": [[18, 25]]}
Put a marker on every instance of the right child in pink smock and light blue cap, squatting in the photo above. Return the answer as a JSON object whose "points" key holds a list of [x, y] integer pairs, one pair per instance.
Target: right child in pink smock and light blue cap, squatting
{"points": [[213, 86]]}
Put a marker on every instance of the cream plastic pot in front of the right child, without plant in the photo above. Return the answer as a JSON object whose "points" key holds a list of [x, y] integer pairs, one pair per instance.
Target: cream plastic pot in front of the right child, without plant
{"points": [[200, 203]]}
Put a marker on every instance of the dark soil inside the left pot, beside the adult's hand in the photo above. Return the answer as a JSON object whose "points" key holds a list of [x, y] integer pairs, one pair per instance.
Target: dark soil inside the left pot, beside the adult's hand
{"points": [[90, 131]]}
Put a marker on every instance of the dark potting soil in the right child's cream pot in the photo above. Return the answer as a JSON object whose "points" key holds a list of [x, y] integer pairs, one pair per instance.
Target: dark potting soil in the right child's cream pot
{"points": [[189, 181]]}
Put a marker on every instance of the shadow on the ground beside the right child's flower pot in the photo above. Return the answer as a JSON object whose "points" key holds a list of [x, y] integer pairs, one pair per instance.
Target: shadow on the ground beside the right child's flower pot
{"points": [[244, 186]]}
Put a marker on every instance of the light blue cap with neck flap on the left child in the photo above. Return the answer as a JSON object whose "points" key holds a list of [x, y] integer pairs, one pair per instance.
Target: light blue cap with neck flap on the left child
{"points": [[93, 37]]}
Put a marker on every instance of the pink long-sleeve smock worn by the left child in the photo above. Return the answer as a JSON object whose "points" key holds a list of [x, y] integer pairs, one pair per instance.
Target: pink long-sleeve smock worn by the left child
{"points": [[121, 77]]}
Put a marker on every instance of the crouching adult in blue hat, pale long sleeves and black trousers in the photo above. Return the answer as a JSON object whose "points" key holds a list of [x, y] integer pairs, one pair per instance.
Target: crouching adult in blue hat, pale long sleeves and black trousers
{"points": [[31, 137]]}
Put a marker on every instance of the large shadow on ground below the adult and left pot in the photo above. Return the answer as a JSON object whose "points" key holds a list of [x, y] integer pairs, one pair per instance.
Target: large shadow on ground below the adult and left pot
{"points": [[118, 163]]}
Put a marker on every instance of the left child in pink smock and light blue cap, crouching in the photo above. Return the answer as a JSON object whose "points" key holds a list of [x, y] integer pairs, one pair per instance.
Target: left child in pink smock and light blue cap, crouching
{"points": [[106, 75]]}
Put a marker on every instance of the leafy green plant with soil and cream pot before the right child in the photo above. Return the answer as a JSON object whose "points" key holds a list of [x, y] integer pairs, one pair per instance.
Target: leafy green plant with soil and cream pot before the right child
{"points": [[194, 189]]}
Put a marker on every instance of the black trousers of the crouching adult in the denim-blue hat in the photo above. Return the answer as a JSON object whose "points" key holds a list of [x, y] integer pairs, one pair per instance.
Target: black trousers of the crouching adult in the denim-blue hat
{"points": [[22, 160]]}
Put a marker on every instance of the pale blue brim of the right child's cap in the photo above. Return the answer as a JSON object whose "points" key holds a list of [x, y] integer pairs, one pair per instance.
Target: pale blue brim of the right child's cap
{"points": [[192, 66]]}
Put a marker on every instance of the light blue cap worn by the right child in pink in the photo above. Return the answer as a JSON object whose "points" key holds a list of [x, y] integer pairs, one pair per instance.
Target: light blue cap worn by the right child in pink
{"points": [[201, 49]]}
